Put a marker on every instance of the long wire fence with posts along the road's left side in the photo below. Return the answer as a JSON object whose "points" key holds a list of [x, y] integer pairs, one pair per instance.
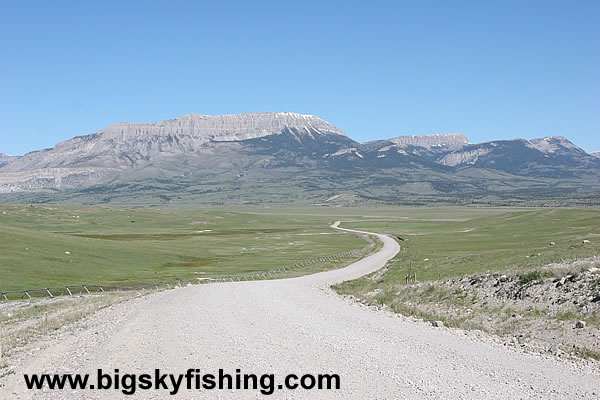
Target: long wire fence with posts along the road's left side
{"points": [[82, 289]]}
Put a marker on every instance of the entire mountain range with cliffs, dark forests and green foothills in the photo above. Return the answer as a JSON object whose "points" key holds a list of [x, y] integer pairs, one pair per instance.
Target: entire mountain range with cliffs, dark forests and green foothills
{"points": [[282, 157]]}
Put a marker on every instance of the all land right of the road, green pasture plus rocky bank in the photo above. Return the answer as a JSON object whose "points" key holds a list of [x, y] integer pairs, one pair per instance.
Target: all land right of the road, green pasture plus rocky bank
{"points": [[452, 253]]}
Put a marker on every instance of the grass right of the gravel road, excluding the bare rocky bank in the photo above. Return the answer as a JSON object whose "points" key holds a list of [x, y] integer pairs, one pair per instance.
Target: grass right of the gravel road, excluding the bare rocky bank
{"points": [[467, 242]]}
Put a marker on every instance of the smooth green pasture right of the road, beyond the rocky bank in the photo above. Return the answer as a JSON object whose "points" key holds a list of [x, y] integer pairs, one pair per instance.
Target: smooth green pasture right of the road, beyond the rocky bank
{"points": [[458, 242]]}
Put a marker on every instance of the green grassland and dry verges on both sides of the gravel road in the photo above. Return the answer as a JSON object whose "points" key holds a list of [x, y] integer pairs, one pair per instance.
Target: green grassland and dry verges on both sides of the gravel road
{"points": [[52, 245]]}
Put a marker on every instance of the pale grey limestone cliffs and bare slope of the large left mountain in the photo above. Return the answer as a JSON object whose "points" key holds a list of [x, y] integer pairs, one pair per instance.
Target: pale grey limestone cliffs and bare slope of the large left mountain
{"points": [[100, 157]]}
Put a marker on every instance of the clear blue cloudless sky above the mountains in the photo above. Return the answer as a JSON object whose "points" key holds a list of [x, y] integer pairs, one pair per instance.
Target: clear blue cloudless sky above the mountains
{"points": [[376, 69]]}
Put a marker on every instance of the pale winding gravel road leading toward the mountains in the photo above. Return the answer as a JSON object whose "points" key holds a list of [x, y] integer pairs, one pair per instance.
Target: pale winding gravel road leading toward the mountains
{"points": [[297, 326]]}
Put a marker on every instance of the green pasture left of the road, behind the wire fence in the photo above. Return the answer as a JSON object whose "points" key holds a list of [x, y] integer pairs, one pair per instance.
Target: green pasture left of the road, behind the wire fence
{"points": [[57, 245]]}
